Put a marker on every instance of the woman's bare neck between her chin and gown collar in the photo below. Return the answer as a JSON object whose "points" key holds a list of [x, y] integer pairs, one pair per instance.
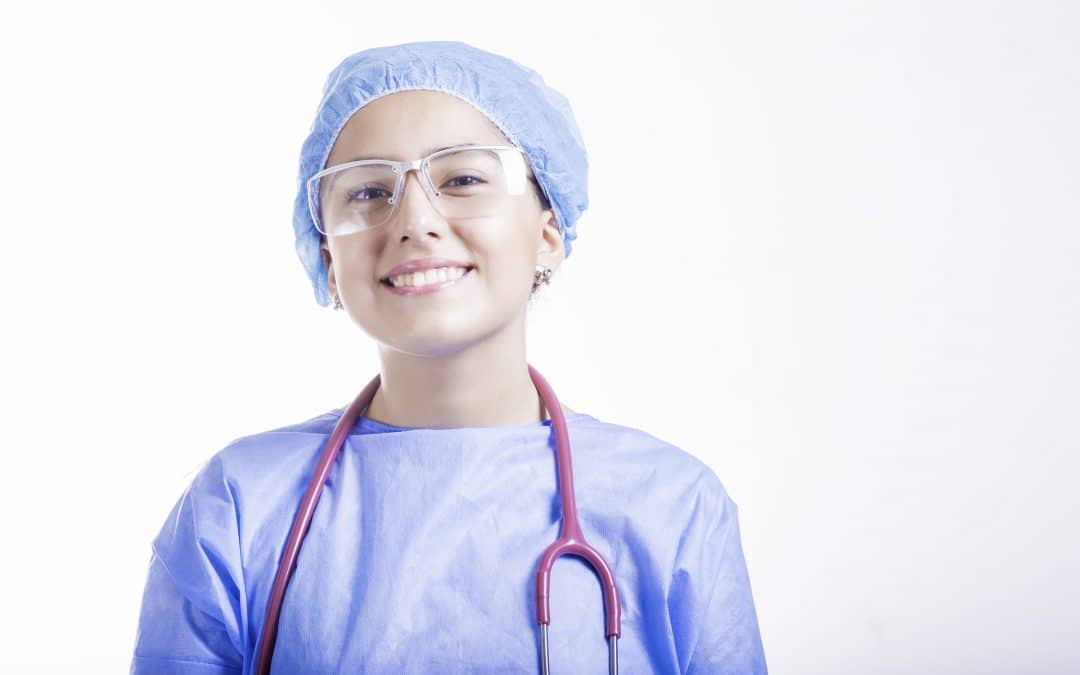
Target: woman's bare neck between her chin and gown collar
{"points": [[485, 384]]}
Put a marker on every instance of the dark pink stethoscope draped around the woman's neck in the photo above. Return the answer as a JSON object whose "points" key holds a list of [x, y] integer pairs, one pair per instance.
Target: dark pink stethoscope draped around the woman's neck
{"points": [[571, 541]]}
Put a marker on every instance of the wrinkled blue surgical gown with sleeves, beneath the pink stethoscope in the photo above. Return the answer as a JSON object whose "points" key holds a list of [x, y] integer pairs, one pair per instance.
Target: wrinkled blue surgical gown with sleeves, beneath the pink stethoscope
{"points": [[423, 552]]}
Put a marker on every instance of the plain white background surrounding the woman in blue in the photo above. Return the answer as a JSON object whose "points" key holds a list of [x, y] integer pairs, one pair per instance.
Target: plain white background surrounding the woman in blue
{"points": [[832, 250]]}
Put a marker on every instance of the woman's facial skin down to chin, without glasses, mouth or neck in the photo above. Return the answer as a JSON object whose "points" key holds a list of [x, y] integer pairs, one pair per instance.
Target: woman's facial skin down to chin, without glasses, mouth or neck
{"points": [[504, 249]]}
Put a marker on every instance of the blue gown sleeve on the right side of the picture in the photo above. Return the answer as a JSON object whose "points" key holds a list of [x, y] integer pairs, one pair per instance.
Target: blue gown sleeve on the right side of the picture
{"points": [[717, 602]]}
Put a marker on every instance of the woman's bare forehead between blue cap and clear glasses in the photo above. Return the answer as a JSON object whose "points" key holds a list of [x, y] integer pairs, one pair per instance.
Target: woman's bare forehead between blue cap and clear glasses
{"points": [[407, 126]]}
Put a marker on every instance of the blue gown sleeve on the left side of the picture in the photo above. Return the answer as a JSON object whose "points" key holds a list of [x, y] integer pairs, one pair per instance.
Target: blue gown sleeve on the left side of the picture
{"points": [[193, 613]]}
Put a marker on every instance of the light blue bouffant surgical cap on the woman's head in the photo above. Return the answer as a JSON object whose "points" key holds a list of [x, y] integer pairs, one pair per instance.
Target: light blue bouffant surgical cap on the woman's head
{"points": [[533, 116]]}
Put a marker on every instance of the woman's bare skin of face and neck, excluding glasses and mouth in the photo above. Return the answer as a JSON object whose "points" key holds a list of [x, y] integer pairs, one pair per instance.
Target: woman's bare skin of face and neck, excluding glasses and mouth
{"points": [[455, 358]]}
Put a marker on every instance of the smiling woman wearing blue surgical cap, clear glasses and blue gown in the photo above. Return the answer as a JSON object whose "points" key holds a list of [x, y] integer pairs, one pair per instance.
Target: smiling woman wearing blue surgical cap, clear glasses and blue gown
{"points": [[423, 553]]}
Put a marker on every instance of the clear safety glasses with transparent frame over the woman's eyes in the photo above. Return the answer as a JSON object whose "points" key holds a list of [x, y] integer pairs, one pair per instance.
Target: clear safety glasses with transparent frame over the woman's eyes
{"points": [[463, 182]]}
